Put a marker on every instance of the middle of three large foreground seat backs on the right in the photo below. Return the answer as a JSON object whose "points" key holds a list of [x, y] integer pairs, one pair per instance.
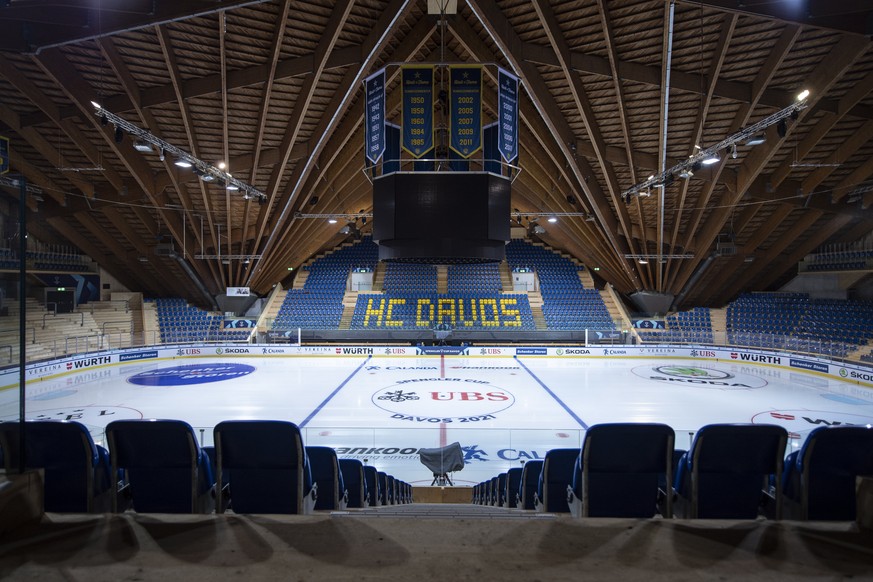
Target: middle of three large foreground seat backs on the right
{"points": [[726, 472]]}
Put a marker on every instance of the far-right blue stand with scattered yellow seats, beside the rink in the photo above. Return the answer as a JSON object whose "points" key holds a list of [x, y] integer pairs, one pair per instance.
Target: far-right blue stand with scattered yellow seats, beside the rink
{"points": [[795, 322]]}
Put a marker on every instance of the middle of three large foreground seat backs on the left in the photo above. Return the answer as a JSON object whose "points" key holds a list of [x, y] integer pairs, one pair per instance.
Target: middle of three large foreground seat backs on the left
{"points": [[165, 470]]}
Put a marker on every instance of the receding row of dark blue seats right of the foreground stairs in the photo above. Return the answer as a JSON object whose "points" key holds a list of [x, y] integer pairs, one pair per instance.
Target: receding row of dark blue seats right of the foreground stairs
{"points": [[731, 471]]}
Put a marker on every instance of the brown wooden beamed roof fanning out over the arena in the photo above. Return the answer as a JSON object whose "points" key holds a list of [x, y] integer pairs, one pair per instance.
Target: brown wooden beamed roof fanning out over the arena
{"points": [[273, 88]]}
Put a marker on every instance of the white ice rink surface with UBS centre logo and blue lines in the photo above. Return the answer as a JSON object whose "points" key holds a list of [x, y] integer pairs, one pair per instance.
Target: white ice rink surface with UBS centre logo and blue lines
{"points": [[503, 410]]}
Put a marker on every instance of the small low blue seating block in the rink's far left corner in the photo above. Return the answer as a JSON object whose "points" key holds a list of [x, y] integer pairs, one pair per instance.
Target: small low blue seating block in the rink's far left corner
{"points": [[182, 323]]}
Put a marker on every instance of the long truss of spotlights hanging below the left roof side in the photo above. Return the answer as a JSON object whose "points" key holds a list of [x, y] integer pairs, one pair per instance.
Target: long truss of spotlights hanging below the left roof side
{"points": [[146, 142]]}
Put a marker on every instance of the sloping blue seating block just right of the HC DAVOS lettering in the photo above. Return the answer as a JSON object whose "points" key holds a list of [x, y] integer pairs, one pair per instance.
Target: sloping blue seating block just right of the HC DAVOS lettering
{"points": [[566, 304]]}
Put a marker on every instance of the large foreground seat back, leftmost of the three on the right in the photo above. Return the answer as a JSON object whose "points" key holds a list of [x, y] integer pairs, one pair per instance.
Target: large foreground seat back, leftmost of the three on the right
{"points": [[618, 471]]}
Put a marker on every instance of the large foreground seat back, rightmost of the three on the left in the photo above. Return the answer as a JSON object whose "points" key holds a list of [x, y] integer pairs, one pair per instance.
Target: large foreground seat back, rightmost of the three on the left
{"points": [[267, 467]]}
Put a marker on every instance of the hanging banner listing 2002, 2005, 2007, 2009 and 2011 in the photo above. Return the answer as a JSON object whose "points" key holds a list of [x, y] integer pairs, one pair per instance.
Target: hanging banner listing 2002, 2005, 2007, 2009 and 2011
{"points": [[465, 109]]}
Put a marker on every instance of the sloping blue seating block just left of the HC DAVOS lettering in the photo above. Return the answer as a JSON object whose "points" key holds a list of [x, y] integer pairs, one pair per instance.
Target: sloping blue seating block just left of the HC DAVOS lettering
{"points": [[319, 305]]}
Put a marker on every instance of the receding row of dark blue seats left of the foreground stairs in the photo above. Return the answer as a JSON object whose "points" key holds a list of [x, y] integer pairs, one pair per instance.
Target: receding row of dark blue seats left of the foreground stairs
{"points": [[157, 466]]}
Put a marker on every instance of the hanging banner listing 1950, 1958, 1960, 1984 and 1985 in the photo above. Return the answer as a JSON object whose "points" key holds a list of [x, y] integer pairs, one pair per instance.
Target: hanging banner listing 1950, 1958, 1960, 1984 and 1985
{"points": [[417, 105]]}
